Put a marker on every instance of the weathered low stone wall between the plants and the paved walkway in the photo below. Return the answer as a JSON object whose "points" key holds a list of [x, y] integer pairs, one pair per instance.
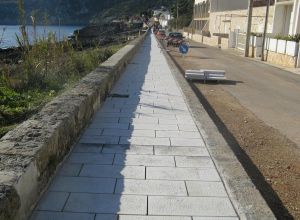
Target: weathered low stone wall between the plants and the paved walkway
{"points": [[29, 154]]}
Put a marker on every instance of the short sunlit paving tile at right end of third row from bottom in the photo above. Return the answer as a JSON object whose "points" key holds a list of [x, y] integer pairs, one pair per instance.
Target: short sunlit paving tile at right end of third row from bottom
{"points": [[197, 188]]}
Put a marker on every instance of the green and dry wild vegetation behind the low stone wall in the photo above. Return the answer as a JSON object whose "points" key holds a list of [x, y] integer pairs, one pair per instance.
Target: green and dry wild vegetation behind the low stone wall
{"points": [[44, 71]]}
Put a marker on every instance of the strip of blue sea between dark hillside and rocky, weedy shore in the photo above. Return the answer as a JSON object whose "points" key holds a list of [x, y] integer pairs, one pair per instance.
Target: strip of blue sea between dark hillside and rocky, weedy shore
{"points": [[8, 33]]}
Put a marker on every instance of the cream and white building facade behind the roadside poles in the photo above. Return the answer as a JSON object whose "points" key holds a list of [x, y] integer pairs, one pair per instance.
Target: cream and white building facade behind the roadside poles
{"points": [[225, 16]]}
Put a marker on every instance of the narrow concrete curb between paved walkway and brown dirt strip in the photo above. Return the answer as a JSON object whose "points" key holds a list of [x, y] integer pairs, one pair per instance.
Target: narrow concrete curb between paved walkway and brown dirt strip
{"points": [[246, 198]]}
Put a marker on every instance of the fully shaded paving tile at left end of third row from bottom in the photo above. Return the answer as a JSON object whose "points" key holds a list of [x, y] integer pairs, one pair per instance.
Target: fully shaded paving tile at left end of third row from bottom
{"points": [[83, 184]]}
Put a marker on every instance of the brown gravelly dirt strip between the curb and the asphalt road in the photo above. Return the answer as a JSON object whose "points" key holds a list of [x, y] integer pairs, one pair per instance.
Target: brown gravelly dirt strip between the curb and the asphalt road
{"points": [[269, 157]]}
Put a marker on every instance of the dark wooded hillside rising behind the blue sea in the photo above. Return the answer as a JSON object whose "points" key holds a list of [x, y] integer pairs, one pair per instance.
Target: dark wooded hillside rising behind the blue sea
{"points": [[77, 11]]}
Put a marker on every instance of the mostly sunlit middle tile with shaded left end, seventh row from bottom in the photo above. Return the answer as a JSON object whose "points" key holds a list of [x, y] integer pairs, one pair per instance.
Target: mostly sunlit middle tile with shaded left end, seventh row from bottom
{"points": [[145, 141]]}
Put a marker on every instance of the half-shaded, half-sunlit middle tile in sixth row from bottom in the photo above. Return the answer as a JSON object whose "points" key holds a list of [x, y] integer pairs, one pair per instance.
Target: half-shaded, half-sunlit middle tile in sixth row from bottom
{"points": [[128, 149]]}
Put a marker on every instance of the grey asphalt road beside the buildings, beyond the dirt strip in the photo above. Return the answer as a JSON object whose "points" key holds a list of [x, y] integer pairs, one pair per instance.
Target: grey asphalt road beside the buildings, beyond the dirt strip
{"points": [[272, 94]]}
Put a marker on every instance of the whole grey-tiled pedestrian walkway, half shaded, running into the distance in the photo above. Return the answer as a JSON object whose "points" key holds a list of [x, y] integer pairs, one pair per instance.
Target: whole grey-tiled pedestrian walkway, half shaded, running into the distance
{"points": [[141, 158]]}
